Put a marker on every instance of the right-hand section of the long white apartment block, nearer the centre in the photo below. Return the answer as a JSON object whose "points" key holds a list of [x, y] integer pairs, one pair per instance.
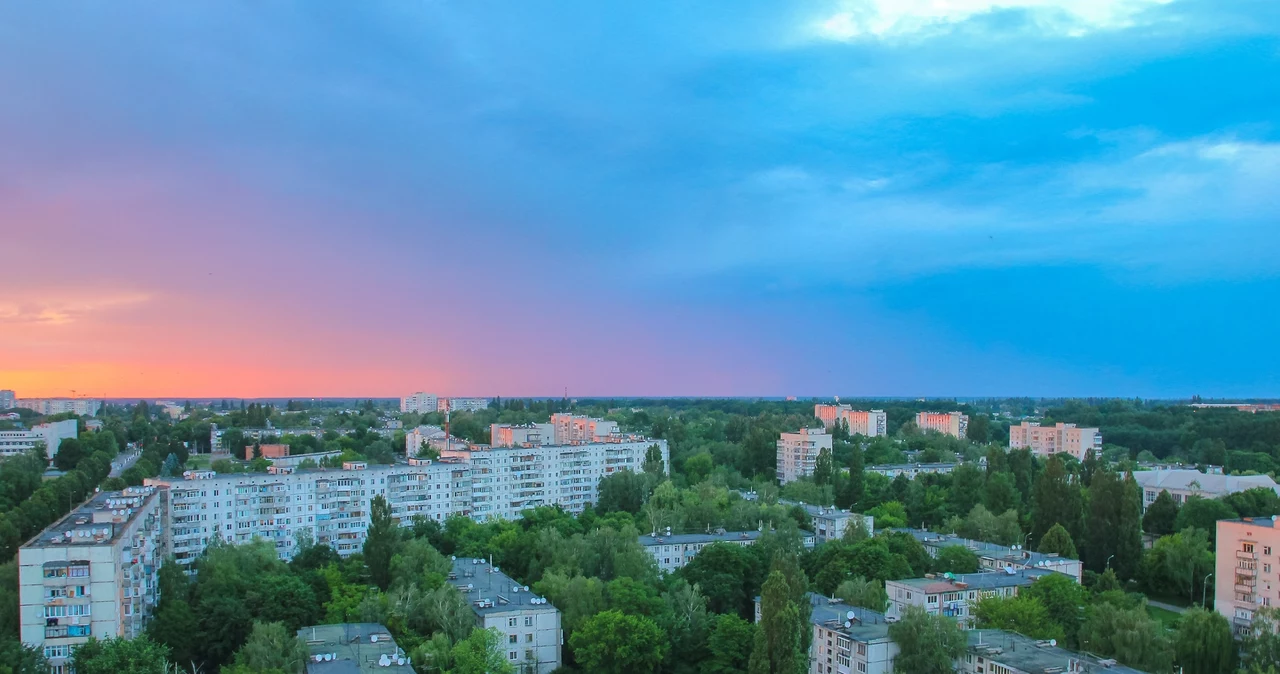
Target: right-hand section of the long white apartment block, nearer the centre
{"points": [[505, 482]]}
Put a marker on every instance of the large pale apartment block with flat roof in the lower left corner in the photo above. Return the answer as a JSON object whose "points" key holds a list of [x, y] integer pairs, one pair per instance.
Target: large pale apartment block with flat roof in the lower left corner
{"points": [[94, 574]]}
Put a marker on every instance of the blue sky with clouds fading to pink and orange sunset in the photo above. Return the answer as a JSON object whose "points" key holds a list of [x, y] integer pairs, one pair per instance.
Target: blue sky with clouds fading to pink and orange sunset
{"points": [[815, 199]]}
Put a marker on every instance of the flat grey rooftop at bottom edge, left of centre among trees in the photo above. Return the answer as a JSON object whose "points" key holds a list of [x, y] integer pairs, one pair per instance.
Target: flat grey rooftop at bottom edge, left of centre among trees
{"points": [[354, 649]]}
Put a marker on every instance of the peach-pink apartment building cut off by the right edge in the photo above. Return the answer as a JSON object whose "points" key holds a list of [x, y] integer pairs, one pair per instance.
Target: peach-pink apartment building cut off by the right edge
{"points": [[1247, 563]]}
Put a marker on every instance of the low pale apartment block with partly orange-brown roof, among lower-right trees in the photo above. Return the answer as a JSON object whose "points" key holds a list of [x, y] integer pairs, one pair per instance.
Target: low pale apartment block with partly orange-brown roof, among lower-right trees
{"points": [[954, 595]]}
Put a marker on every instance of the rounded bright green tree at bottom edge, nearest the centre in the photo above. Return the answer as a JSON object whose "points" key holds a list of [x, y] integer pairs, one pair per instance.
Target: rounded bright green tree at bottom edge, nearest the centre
{"points": [[615, 643]]}
